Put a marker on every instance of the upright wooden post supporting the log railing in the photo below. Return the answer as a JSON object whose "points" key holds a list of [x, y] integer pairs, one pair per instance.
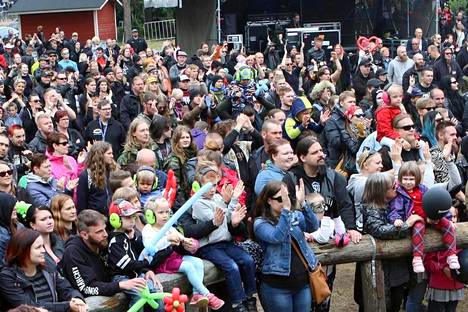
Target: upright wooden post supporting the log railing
{"points": [[373, 295]]}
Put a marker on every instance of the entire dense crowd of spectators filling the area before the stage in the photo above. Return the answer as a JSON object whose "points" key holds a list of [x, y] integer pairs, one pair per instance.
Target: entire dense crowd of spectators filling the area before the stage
{"points": [[101, 143]]}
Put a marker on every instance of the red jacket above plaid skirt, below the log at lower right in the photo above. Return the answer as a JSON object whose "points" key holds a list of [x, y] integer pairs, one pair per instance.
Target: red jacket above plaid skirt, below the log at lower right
{"points": [[435, 262]]}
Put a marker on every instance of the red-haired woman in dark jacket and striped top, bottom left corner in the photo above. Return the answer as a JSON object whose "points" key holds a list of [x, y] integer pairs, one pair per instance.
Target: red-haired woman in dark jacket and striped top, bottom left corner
{"points": [[24, 281]]}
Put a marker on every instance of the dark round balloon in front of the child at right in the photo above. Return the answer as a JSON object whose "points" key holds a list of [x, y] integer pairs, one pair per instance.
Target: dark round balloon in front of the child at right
{"points": [[436, 202]]}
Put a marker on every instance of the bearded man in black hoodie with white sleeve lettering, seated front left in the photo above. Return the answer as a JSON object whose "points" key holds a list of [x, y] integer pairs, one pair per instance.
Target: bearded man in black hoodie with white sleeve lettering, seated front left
{"points": [[82, 262]]}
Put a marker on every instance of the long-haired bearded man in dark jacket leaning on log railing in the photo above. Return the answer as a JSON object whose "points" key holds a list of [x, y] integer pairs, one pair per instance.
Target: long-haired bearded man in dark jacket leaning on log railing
{"points": [[317, 178]]}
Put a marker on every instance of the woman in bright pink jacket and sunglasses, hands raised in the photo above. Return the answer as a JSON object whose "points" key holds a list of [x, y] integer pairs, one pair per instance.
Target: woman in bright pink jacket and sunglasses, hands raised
{"points": [[63, 166]]}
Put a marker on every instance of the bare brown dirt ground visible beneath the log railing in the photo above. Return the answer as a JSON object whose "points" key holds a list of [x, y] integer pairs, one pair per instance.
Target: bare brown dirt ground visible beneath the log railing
{"points": [[343, 289]]}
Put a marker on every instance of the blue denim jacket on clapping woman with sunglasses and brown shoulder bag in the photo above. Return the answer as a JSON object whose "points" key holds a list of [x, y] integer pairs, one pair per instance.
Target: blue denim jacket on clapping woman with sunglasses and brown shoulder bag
{"points": [[276, 240]]}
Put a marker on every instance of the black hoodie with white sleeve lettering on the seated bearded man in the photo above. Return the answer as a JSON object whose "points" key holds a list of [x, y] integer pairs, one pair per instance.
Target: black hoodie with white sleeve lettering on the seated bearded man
{"points": [[87, 270]]}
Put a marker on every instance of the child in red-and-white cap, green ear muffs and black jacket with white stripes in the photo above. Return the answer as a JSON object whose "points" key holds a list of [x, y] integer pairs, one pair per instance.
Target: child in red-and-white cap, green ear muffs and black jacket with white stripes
{"points": [[124, 248]]}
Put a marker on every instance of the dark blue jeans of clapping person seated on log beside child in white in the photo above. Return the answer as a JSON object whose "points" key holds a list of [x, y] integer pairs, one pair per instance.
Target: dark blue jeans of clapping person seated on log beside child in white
{"points": [[237, 265]]}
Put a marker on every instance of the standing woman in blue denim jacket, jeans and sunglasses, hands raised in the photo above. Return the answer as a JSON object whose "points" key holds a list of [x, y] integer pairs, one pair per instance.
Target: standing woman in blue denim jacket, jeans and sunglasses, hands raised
{"points": [[279, 228]]}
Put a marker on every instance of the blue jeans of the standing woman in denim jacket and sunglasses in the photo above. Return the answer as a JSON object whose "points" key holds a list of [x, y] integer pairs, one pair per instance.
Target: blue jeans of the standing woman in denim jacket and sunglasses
{"points": [[285, 300]]}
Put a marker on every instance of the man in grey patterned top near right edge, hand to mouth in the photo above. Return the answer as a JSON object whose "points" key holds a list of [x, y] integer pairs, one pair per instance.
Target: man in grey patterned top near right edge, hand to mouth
{"points": [[444, 153]]}
